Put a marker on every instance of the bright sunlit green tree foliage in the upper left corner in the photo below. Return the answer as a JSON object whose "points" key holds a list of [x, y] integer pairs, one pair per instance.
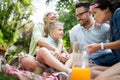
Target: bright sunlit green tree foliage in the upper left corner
{"points": [[12, 13]]}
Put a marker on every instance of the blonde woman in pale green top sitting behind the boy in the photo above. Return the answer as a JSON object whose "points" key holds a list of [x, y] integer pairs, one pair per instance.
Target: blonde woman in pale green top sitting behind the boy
{"points": [[39, 46]]}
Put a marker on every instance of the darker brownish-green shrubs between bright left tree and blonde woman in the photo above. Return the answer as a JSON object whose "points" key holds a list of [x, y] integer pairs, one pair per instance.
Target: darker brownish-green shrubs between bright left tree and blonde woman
{"points": [[22, 44]]}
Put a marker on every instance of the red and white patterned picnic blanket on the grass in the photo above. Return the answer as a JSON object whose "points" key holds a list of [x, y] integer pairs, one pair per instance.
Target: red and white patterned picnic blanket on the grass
{"points": [[26, 75]]}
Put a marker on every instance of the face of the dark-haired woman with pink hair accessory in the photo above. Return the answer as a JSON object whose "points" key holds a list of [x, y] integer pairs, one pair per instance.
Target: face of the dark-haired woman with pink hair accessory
{"points": [[100, 15]]}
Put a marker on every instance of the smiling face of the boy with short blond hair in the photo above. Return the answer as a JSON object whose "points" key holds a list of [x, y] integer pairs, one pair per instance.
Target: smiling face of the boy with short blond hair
{"points": [[57, 33]]}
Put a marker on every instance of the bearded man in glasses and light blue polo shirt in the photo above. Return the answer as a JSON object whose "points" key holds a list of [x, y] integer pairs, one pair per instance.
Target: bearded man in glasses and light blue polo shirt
{"points": [[88, 31]]}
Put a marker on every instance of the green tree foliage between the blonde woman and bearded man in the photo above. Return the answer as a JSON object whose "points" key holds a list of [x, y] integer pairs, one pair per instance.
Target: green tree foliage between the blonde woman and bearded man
{"points": [[66, 9]]}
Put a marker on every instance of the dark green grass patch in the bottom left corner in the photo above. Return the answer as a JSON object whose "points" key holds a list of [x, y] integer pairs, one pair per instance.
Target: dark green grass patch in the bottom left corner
{"points": [[4, 76]]}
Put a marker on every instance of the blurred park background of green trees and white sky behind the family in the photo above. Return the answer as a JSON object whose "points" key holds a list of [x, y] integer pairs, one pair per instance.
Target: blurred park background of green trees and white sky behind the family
{"points": [[17, 18]]}
